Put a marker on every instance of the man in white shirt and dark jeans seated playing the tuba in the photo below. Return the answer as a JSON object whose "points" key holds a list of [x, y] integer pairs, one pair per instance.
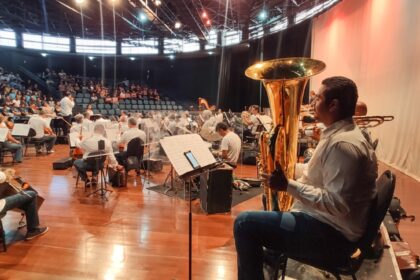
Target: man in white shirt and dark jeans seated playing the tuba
{"points": [[332, 196]]}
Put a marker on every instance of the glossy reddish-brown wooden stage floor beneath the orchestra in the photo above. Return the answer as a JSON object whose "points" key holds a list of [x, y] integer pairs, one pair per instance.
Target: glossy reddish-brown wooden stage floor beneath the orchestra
{"points": [[137, 234]]}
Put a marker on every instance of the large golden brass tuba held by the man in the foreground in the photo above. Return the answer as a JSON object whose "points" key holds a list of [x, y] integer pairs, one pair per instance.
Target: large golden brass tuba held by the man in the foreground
{"points": [[285, 81]]}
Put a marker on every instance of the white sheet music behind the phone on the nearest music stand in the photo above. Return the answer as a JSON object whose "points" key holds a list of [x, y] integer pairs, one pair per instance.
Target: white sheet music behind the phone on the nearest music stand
{"points": [[176, 146]]}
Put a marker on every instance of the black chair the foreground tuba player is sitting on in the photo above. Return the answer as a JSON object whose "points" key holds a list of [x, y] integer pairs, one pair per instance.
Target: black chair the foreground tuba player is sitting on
{"points": [[385, 191]]}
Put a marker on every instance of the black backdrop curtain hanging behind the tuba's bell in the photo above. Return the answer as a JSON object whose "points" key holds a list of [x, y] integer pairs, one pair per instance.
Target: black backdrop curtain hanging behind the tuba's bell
{"points": [[236, 91]]}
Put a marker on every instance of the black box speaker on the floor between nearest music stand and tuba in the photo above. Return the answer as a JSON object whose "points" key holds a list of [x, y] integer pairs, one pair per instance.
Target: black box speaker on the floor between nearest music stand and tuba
{"points": [[216, 190]]}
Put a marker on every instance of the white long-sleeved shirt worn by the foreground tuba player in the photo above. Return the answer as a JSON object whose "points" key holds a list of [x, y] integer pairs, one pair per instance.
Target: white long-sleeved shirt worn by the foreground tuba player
{"points": [[338, 183]]}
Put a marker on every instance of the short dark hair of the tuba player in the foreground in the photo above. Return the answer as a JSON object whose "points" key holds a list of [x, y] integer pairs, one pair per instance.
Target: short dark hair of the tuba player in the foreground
{"points": [[345, 91]]}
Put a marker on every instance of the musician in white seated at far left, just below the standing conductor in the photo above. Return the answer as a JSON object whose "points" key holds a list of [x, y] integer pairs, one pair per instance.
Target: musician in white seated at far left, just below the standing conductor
{"points": [[43, 131]]}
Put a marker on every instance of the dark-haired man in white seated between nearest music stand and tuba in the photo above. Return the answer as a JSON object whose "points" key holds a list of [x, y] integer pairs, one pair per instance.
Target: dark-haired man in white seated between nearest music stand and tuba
{"points": [[231, 144]]}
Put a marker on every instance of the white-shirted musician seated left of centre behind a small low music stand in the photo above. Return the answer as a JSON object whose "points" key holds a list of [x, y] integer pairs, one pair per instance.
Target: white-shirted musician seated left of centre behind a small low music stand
{"points": [[90, 145]]}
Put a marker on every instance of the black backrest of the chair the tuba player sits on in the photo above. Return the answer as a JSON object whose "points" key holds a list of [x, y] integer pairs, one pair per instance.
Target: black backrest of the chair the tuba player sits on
{"points": [[385, 190]]}
